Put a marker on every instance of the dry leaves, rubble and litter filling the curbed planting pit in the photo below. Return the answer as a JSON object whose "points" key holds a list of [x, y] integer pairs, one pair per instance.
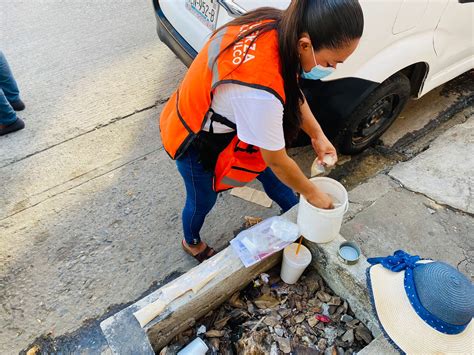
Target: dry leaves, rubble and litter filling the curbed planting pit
{"points": [[271, 317]]}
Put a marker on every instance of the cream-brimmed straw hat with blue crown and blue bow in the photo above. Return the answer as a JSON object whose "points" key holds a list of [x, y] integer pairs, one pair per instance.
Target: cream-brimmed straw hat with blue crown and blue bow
{"points": [[423, 306]]}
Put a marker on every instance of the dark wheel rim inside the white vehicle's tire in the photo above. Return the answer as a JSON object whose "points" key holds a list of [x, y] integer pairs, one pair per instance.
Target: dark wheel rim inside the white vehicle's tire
{"points": [[379, 117]]}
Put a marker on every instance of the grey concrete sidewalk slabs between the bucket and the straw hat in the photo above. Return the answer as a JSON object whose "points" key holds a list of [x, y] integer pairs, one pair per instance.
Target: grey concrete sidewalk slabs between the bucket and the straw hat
{"points": [[423, 206]]}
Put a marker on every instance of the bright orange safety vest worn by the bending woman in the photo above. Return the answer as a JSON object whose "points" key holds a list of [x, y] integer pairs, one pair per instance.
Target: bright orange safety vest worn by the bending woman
{"points": [[254, 64]]}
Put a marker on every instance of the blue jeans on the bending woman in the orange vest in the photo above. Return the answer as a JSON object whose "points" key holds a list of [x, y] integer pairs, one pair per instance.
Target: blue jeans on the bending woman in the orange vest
{"points": [[200, 196]]}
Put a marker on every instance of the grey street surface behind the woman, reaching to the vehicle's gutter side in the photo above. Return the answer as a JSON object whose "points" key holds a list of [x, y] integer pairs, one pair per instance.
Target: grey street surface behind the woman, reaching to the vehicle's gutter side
{"points": [[89, 202]]}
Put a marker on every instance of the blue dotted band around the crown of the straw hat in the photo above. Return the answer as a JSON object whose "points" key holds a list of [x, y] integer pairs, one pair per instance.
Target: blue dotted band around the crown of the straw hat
{"points": [[423, 313]]}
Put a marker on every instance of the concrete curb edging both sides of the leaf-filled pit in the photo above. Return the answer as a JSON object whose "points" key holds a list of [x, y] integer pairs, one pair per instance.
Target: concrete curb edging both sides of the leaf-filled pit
{"points": [[124, 334]]}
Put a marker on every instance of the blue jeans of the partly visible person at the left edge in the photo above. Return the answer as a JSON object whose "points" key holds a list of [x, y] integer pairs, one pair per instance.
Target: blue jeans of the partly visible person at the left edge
{"points": [[9, 92]]}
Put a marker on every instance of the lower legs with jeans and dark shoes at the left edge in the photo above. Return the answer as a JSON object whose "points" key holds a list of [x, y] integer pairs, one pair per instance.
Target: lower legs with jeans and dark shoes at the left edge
{"points": [[9, 94]]}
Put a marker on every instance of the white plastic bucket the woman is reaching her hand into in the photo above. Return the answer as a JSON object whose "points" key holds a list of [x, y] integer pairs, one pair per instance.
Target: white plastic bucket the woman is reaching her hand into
{"points": [[320, 225]]}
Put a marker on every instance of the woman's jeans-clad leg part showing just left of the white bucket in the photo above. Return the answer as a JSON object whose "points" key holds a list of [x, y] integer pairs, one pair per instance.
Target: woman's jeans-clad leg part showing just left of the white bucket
{"points": [[277, 191]]}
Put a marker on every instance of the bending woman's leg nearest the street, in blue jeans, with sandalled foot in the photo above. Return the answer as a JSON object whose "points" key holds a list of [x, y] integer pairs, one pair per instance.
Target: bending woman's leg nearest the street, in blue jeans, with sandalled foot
{"points": [[200, 198]]}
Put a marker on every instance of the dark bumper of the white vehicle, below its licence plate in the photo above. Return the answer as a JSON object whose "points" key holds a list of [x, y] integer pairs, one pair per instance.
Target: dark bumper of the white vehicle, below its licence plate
{"points": [[169, 36]]}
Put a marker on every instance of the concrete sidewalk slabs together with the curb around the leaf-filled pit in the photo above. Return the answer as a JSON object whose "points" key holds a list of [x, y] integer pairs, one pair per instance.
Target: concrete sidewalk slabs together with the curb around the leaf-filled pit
{"points": [[420, 206]]}
